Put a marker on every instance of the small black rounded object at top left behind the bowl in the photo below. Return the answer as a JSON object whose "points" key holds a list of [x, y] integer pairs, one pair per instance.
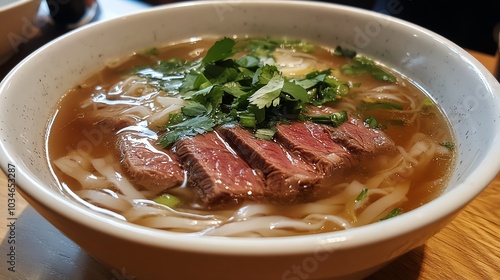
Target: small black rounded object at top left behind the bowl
{"points": [[68, 11]]}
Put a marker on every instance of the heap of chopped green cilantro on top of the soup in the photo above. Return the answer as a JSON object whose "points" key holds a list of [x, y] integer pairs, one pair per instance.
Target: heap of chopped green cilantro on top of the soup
{"points": [[221, 89]]}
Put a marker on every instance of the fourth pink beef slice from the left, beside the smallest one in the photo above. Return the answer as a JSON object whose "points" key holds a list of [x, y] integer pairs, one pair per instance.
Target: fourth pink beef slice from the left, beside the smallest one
{"points": [[313, 143]]}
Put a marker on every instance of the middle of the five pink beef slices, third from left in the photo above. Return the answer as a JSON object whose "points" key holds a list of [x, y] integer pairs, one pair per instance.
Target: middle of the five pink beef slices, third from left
{"points": [[288, 178]]}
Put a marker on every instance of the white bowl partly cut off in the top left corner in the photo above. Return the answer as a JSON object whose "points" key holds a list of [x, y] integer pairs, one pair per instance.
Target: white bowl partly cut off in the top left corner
{"points": [[17, 25]]}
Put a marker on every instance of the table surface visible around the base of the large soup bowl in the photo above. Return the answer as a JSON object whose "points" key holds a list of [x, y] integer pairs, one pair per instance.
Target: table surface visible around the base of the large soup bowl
{"points": [[467, 248]]}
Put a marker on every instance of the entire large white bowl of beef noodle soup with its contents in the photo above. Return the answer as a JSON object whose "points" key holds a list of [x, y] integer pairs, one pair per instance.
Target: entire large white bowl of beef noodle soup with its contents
{"points": [[248, 145]]}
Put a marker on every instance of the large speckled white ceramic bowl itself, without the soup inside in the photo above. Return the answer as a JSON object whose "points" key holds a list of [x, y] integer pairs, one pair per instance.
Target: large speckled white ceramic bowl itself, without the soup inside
{"points": [[463, 87]]}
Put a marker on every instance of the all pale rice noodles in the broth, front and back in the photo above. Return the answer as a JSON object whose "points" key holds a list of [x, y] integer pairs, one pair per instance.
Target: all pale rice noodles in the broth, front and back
{"points": [[105, 188]]}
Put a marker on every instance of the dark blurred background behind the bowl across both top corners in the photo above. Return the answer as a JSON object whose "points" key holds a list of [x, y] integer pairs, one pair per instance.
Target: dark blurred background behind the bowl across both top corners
{"points": [[473, 25]]}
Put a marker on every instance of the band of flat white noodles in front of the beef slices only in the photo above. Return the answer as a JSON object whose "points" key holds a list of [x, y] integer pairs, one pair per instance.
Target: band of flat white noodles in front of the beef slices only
{"points": [[259, 219]]}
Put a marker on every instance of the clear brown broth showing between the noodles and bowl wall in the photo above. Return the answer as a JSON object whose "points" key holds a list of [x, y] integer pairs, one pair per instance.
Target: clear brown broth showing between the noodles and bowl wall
{"points": [[70, 128]]}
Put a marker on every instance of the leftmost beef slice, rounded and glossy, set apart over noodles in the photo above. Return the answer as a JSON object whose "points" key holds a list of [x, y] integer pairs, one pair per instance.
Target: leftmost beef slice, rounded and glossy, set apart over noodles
{"points": [[151, 168]]}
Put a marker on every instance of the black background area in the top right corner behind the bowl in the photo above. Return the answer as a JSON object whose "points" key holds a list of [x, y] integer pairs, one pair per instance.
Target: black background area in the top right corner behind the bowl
{"points": [[470, 24]]}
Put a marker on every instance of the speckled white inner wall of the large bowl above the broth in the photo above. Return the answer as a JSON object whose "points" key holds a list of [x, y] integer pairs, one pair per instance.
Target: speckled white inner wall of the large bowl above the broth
{"points": [[464, 89]]}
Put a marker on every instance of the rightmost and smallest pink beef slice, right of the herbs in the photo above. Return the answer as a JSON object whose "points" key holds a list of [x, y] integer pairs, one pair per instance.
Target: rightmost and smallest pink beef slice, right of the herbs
{"points": [[359, 139]]}
